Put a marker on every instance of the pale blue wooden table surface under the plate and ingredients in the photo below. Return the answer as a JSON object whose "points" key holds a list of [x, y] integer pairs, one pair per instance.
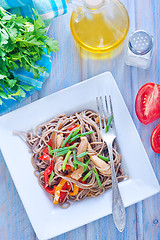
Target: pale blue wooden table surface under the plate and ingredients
{"points": [[68, 68]]}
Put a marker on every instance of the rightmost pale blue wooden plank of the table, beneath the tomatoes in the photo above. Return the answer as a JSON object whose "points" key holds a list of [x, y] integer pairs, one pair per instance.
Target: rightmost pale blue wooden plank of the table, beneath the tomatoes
{"points": [[148, 19]]}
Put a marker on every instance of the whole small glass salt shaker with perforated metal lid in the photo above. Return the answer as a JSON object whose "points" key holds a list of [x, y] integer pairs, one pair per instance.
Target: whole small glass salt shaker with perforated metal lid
{"points": [[139, 51]]}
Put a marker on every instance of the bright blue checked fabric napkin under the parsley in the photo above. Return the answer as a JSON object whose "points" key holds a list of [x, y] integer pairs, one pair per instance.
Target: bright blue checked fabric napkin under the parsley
{"points": [[47, 9]]}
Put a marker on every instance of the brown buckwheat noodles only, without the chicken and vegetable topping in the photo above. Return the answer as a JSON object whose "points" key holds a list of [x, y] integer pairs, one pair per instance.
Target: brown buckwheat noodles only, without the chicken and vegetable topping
{"points": [[87, 120]]}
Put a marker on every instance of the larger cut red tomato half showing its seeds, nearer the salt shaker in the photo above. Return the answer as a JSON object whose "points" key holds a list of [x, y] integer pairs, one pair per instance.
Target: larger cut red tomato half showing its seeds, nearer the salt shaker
{"points": [[147, 104]]}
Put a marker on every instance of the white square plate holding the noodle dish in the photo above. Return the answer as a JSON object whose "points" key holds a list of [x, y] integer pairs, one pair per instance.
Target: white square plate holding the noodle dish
{"points": [[54, 220]]}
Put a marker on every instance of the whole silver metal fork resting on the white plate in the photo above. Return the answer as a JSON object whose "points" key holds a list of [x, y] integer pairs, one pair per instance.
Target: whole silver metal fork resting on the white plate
{"points": [[118, 209]]}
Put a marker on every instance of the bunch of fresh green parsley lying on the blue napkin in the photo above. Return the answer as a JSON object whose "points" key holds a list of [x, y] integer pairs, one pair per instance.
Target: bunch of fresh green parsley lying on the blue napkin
{"points": [[22, 44]]}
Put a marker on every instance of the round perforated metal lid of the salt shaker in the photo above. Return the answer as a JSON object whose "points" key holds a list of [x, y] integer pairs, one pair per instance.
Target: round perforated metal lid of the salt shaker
{"points": [[140, 42]]}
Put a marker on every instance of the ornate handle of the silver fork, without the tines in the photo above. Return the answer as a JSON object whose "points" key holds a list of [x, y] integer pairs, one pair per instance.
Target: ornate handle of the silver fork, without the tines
{"points": [[118, 209]]}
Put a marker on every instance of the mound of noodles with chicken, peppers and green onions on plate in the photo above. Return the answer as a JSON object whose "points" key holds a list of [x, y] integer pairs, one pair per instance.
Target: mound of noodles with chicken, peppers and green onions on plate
{"points": [[79, 170]]}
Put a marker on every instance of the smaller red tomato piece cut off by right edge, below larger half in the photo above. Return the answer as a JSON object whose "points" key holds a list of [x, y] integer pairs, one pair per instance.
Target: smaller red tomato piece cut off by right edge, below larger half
{"points": [[155, 139]]}
